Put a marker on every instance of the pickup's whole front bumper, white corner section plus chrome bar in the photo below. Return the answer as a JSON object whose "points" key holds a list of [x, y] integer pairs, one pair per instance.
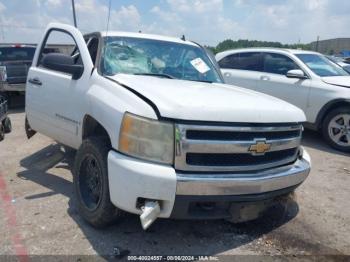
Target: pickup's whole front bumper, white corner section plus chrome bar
{"points": [[131, 179]]}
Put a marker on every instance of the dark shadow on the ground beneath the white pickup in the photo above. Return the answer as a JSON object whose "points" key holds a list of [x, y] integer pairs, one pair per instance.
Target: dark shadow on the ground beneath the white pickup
{"points": [[165, 237]]}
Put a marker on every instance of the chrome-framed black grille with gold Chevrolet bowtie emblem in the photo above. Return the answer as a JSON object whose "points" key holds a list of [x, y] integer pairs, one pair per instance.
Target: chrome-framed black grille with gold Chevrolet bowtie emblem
{"points": [[233, 148]]}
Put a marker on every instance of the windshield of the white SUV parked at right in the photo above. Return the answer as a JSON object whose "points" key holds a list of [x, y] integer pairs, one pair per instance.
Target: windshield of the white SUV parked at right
{"points": [[322, 66]]}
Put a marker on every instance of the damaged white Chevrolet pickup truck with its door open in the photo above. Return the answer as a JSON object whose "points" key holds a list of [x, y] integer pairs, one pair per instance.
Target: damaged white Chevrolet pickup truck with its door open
{"points": [[157, 132]]}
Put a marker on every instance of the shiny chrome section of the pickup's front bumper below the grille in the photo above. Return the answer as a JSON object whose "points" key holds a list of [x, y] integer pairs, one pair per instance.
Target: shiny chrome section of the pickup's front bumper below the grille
{"points": [[246, 183]]}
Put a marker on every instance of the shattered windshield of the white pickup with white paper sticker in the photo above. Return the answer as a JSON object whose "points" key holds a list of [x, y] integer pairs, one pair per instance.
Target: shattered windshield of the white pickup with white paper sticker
{"points": [[130, 55]]}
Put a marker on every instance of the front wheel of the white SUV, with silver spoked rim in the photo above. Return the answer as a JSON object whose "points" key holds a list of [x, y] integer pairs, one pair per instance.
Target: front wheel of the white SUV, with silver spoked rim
{"points": [[336, 129]]}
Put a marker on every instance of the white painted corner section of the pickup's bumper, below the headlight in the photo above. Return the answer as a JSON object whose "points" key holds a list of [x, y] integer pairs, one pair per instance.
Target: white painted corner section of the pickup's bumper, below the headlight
{"points": [[130, 179]]}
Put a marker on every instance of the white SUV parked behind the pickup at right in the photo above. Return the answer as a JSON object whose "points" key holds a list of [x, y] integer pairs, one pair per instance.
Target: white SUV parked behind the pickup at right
{"points": [[304, 78]]}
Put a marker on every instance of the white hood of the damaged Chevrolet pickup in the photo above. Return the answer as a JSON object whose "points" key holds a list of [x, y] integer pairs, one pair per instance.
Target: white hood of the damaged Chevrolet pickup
{"points": [[190, 100]]}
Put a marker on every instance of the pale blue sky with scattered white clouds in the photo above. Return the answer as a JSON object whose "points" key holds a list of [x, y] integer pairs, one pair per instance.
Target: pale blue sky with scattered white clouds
{"points": [[205, 21]]}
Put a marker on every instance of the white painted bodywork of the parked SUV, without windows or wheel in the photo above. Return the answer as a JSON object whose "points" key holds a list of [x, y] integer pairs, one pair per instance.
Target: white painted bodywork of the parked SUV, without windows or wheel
{"points": [[310, 95]]}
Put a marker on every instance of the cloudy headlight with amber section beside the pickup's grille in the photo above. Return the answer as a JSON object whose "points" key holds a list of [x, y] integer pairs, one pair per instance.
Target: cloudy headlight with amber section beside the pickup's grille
{"points": [[147, 139]]}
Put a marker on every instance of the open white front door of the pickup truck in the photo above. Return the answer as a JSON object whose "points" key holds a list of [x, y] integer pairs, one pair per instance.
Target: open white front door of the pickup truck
{"points": [[54, 101]]}
